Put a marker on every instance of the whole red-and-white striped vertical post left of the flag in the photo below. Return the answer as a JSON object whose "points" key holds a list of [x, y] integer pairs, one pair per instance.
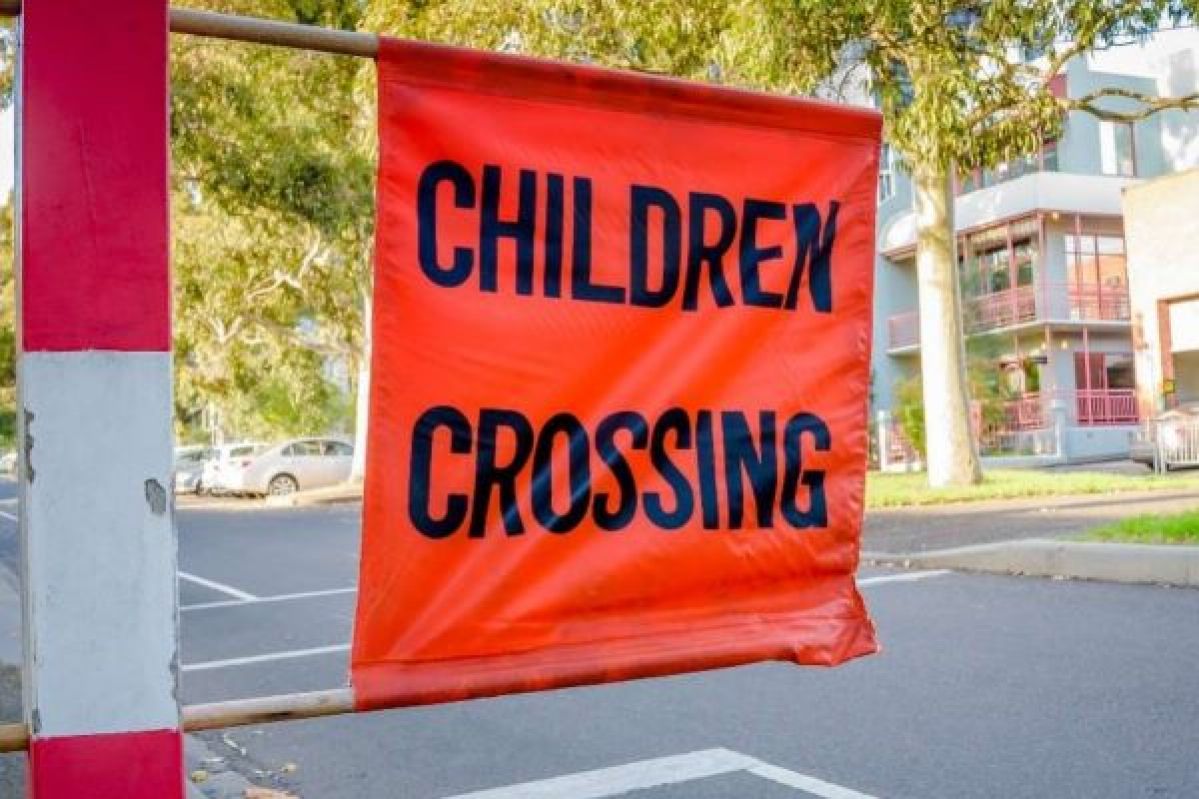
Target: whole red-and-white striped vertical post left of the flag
{"points": [[99, 539]]}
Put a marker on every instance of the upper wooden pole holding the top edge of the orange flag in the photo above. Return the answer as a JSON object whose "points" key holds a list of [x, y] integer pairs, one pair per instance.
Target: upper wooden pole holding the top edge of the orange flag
{"points": [[260, 32]]}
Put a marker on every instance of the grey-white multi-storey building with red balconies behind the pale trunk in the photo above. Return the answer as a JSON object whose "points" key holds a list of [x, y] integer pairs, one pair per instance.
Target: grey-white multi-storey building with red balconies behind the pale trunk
{"points": [[1045, 279]]}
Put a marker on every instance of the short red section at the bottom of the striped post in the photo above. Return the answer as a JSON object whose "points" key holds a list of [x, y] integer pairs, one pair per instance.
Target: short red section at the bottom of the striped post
{"points": [[118, 766]]}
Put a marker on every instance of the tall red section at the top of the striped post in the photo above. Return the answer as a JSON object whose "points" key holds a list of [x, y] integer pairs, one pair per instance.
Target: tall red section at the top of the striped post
{"points": [[94, 236]]}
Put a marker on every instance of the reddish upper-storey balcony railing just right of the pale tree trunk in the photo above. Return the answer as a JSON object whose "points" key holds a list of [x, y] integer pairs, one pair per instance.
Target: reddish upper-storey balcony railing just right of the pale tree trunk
{"points": [[1046, 302]]}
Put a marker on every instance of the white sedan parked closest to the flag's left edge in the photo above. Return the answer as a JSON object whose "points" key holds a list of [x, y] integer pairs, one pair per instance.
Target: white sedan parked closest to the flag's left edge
{"points": [[291, 466]]}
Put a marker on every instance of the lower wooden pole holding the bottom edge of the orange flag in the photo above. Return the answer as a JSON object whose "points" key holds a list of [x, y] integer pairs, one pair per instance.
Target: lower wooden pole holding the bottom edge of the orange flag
{"points": [[237, 713]]}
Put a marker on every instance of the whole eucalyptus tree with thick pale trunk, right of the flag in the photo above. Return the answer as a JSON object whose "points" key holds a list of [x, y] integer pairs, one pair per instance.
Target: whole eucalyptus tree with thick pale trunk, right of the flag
{"points": [[959, 91]]}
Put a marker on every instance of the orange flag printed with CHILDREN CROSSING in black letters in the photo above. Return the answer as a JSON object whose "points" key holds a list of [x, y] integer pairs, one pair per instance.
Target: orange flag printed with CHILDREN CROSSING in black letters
{"points": [[620, 374]]}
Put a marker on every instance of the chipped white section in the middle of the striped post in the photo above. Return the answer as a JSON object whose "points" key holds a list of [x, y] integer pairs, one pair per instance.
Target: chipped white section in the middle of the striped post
{"points": [[97, 522]]}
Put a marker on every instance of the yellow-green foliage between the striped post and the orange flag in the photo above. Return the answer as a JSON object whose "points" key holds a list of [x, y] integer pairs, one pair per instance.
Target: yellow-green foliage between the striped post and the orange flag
{"points": [[273, 217]]}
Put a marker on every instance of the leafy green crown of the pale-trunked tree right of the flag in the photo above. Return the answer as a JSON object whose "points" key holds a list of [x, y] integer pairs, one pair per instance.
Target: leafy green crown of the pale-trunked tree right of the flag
{"points": [[944, 74]]}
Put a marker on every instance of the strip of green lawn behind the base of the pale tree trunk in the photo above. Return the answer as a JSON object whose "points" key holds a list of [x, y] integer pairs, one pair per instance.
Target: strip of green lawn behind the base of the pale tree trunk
{"points": [[900, 490]]}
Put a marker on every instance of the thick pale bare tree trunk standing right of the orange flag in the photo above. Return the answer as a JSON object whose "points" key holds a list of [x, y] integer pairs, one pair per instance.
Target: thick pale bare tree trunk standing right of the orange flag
{"points": [[951, 454]]}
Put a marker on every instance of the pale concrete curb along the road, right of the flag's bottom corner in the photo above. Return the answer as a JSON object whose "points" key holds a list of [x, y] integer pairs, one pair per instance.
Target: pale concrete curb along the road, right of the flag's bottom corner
{"points": [[1118, 563]]}
